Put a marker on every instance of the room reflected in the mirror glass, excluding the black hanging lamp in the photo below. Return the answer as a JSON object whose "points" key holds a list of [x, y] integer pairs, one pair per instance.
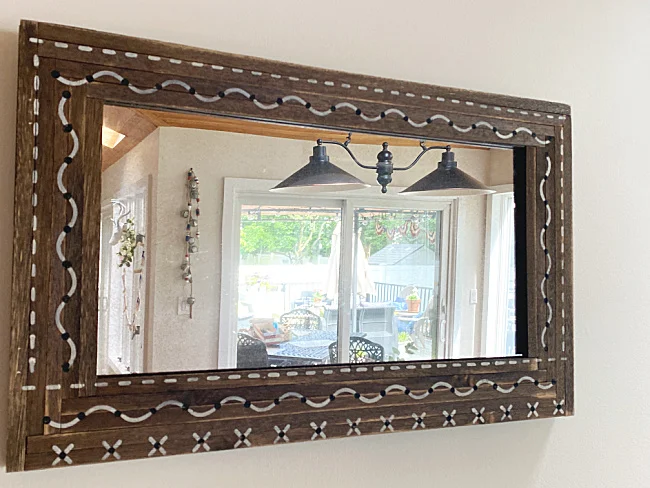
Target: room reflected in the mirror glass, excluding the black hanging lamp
{"points": [[202, 267]]}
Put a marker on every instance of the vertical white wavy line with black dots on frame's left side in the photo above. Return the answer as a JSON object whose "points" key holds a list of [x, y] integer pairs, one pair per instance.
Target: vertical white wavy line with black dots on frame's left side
{"points": [[71, 223]]}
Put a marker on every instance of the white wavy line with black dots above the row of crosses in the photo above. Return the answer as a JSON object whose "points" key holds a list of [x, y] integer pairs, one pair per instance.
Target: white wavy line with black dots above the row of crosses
{"points": [[260, 409]]}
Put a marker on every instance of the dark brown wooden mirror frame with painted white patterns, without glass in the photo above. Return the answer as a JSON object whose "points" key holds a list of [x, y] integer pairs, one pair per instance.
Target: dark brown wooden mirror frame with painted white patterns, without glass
{"points": [[54, 413]]}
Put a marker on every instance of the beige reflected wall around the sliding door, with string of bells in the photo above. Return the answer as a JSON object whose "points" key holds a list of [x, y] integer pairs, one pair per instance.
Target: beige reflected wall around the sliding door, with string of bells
{"points": [[180, 343]]}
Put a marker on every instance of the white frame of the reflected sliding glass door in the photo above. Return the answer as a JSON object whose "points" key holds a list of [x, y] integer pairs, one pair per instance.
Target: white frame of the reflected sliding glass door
{"points": [[243, 191]]}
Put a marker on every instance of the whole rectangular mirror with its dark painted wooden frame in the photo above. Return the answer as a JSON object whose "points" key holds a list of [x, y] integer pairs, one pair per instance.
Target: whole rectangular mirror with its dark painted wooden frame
{"points": [[230, 252]]}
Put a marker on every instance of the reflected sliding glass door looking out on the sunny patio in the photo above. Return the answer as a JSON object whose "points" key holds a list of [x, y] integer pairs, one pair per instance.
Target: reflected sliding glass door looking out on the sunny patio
{"points": [[335, 280]]}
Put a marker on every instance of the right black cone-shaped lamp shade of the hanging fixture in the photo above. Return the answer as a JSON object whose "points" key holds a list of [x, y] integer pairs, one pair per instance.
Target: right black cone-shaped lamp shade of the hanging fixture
{"points": [[448, 180]]}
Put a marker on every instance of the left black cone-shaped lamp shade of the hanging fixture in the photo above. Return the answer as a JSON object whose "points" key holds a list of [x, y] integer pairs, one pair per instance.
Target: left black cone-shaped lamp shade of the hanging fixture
{"points": [[319, 175]]}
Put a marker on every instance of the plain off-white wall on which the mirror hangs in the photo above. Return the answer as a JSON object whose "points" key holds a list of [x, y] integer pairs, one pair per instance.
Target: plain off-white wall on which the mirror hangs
{"points": [[592, 54]]}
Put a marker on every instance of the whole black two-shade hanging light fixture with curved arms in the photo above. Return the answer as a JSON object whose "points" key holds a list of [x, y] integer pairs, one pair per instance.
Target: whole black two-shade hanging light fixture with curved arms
{"points": [[321, 175]]}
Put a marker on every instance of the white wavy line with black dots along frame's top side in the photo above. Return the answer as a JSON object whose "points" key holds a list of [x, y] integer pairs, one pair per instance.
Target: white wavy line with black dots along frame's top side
{"points": [[301, 101]]}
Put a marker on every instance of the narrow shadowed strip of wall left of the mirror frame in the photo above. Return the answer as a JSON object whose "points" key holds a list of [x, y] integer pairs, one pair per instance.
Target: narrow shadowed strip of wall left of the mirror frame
{"points": [[8, 64]]}
